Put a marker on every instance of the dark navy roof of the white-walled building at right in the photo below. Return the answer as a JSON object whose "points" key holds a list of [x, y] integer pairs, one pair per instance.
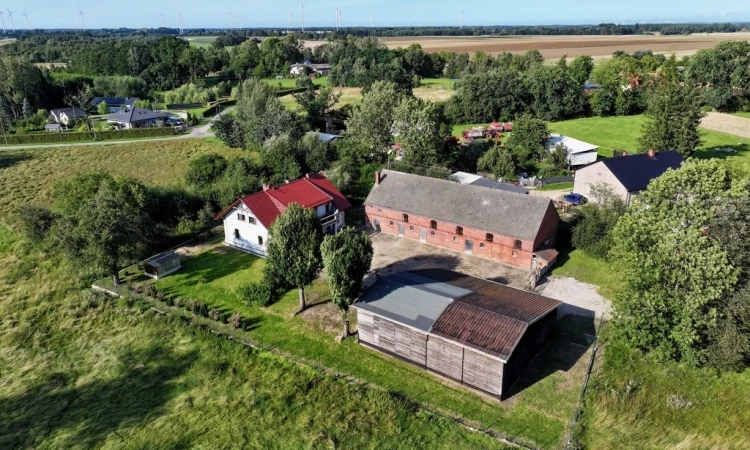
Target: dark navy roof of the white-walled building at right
{"points": [[635, 172]]}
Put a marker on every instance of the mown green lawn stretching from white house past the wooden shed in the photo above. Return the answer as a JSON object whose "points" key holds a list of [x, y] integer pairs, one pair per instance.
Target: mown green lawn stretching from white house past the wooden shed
{"points": [[539, 414]]}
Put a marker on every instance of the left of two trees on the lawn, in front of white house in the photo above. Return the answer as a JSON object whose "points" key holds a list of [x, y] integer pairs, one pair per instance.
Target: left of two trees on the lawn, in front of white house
{"points": [[293, 250]]}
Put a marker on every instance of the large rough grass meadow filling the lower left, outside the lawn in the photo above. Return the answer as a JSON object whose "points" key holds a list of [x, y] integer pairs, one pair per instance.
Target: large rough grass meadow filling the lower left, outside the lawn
{"points": [[84, 371]]}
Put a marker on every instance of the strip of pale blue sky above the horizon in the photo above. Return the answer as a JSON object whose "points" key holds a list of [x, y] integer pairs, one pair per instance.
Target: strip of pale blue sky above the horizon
{"points": [[215, 13]]}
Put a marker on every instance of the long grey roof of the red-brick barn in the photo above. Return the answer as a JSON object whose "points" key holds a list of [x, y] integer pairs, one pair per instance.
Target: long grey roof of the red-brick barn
{"points": [[504, 213]]}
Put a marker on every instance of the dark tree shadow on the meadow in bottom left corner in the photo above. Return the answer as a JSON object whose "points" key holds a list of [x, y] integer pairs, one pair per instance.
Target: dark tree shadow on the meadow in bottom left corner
{"points": [[85, 415]]}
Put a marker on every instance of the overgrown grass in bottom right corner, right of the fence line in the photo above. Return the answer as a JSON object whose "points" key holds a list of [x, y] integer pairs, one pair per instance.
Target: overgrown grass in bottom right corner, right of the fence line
{"points": [[637, 403]]}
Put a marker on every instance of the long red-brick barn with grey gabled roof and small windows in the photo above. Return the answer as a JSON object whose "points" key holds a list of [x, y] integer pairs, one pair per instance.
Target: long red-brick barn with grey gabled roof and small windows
{"points": [[517, 229]]}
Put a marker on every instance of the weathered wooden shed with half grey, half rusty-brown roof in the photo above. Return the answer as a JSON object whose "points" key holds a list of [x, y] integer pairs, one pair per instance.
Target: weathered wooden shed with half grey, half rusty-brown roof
{"points": [[479, 333]]}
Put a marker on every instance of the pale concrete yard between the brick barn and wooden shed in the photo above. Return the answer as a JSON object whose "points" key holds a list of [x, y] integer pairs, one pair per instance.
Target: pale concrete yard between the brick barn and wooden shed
{"points": [[393, 254]]}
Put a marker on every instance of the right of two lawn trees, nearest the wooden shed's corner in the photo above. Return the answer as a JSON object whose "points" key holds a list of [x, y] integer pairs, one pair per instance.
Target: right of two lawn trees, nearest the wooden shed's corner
{"points": [[347, 256]]}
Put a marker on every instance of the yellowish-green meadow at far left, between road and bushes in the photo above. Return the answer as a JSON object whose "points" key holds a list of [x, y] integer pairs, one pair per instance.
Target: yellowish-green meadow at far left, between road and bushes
{"points": [[28, 176]]}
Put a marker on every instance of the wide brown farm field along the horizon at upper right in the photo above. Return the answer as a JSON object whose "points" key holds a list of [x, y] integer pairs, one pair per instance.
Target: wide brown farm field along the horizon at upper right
{"points": [[554, 47]]}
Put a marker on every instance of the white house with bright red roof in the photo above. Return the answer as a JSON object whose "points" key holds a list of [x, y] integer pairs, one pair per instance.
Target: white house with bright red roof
{"points": [[247, 220]]}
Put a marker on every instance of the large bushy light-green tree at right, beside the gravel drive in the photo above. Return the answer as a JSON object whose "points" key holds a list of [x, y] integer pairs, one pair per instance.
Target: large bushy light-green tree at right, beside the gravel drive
{"points": [[675, 274]]}
